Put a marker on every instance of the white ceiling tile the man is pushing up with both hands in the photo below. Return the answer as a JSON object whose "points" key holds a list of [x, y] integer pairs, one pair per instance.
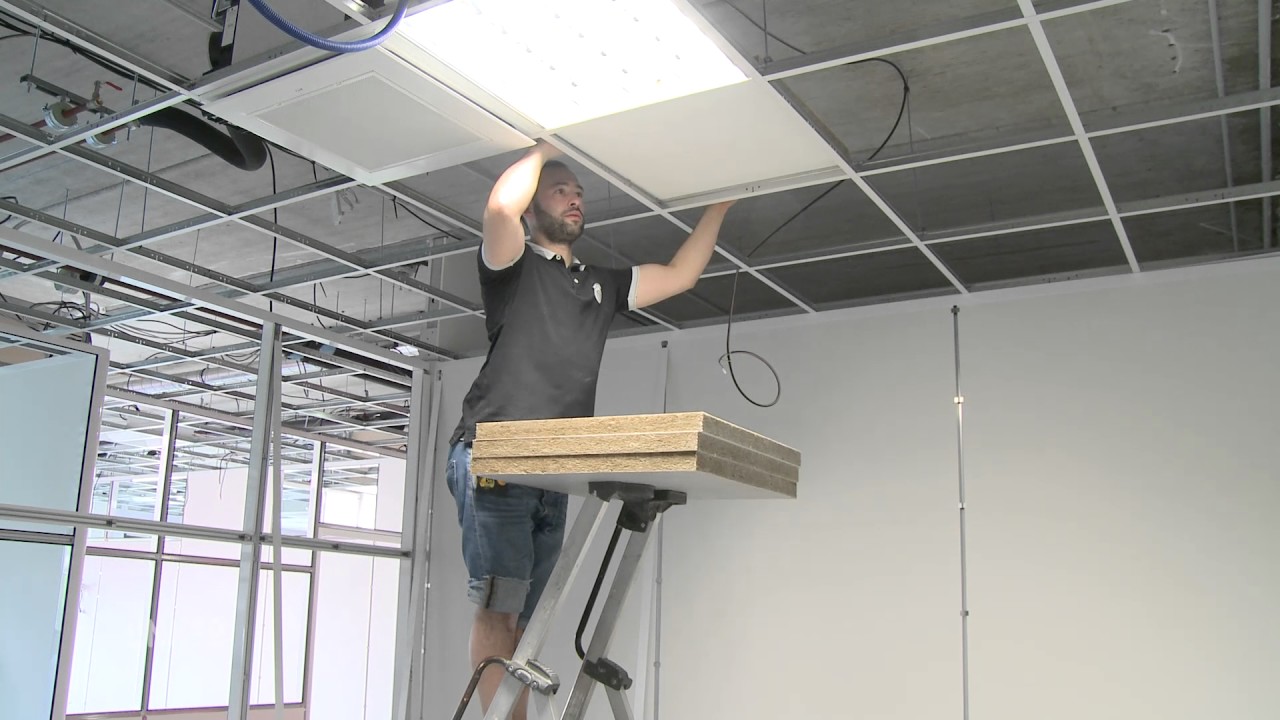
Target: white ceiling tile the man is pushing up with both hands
{"points": [[728, 139]]}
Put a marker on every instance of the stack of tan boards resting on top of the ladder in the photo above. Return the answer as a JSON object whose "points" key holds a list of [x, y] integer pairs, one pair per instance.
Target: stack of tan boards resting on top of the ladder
{"points": [[694, 453]]}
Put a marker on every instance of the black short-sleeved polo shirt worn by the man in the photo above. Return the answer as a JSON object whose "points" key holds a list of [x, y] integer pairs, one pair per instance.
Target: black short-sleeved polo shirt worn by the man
{"points": [[547, 329]]}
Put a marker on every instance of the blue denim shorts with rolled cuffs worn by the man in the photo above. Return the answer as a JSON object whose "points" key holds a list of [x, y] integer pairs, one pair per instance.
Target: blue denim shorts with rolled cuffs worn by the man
{"points": [[511, 537]]}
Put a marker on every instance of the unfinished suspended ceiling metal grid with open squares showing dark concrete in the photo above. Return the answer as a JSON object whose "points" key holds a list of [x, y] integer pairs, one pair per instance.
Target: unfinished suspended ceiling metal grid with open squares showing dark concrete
{"points": [[1040, 143]]}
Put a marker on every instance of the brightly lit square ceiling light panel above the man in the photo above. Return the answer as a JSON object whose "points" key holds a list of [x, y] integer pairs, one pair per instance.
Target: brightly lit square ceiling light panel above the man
{"points": [[570, 61]]}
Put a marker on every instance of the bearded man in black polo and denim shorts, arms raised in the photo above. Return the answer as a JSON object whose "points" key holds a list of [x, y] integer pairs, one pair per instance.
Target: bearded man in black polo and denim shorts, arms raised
{"points": [[548, 318]]}
